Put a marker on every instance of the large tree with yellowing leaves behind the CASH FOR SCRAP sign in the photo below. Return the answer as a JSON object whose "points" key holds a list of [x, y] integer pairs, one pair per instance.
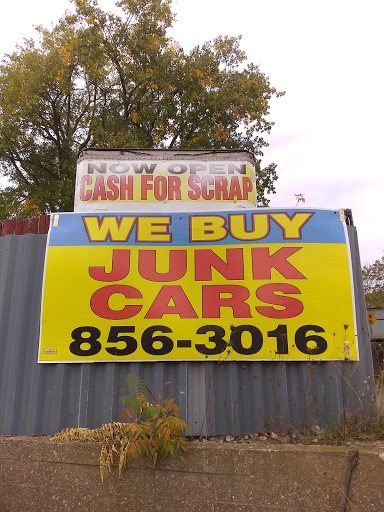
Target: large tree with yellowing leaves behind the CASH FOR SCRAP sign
{"points": [[105, 80]]}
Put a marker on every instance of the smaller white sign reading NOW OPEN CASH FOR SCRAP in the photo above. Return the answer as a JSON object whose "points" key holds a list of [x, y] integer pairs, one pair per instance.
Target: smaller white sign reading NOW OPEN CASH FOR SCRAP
{"points": [[108, 181]]}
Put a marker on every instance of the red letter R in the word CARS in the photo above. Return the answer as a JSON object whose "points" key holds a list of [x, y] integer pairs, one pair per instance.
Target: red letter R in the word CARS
{"points": [[212, 300]]}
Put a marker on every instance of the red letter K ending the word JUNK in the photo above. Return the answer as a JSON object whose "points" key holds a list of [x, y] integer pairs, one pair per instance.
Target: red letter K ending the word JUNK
{"points": [[263, 262]]}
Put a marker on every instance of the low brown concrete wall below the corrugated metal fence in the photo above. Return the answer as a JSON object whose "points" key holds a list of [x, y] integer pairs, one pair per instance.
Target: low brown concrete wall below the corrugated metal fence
{"points": [[37, 474]]}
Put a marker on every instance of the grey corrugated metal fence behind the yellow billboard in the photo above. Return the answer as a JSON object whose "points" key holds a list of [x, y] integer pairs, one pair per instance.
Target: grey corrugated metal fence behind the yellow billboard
{"points": [[229, 398]]}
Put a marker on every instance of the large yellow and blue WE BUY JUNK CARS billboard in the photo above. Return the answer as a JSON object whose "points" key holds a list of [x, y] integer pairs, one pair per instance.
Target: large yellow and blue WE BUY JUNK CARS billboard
{"points": [[267, 284]]}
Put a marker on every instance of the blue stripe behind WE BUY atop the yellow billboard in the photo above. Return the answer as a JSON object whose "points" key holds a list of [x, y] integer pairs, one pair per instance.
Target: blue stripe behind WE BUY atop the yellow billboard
{"points": [[321, 226]]}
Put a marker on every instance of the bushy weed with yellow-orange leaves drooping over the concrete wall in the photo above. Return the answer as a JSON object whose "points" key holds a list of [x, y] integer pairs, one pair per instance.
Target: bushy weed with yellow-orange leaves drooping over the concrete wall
{"points": [[153, 428]]}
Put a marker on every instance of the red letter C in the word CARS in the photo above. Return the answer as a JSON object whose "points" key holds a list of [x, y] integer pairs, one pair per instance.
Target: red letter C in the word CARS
{"points": [[100, 302]]}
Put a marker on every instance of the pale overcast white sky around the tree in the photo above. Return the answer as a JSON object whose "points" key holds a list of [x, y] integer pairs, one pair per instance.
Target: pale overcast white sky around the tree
{"points": [[328, 57]]}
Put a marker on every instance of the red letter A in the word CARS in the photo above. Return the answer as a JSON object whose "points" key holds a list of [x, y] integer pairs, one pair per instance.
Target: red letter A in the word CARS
{"points": [[161, 305]]}
